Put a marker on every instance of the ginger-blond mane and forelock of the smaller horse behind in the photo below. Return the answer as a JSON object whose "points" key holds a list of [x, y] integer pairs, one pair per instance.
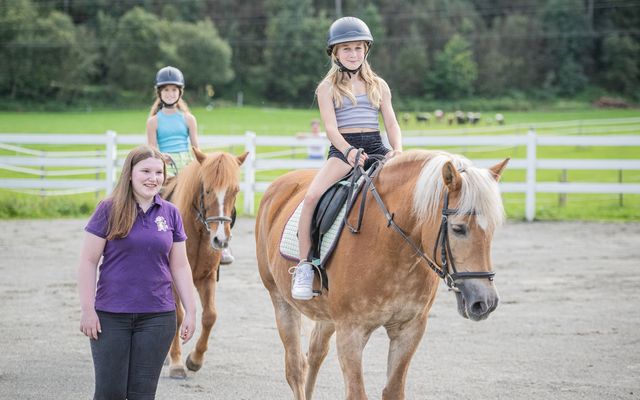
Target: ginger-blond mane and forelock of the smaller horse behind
{"points": [[218, 171]]}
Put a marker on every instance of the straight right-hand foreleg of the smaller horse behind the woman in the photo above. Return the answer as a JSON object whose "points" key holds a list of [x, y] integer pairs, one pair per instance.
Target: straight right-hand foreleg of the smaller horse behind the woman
{"points": [[207, 291]]}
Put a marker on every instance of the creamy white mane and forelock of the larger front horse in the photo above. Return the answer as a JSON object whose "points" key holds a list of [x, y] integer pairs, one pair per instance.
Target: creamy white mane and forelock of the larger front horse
{"points": [[479, 192]]}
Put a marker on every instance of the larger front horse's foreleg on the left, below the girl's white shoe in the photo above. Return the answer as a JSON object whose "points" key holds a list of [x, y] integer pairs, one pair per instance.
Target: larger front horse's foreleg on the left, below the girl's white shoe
{"points": [[350, 340]]}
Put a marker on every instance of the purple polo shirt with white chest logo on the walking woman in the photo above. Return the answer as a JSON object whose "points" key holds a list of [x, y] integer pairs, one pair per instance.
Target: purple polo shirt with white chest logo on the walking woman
{"points": [[134, 275]]}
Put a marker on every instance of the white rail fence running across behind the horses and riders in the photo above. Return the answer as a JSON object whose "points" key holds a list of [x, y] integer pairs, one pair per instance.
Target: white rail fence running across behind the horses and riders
{"points": [[104, 163]]}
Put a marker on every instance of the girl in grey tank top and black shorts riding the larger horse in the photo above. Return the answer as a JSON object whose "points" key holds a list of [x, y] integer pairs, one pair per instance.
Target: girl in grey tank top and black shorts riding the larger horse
{"points": [[350, 97]]}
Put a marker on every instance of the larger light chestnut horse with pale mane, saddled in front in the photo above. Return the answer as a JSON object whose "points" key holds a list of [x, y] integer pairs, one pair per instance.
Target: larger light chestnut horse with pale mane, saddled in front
{"points": [[433, 204]]}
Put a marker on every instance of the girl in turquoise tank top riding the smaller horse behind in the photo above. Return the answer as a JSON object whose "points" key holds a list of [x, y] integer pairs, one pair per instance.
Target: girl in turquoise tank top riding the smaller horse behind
{"points": [[172, 128]]}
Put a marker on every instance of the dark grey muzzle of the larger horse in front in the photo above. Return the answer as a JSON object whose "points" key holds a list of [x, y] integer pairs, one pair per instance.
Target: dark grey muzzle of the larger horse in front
{"points": [[477, 298]]}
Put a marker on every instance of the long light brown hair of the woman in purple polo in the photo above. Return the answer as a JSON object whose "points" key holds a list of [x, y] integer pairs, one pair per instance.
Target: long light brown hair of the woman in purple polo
{"points": [[123, 204]]}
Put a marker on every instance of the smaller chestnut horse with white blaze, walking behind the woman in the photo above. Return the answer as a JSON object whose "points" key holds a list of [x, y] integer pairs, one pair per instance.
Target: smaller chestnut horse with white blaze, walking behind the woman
{"points": [[205, 193]]}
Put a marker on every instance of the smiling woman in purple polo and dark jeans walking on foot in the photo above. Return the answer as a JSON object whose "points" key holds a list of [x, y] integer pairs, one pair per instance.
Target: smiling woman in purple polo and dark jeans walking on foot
{"points": [[130, 313]]}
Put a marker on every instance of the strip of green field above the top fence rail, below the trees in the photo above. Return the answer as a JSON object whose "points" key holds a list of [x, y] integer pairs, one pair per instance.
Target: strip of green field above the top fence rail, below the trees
{"points": [[234, 121]]}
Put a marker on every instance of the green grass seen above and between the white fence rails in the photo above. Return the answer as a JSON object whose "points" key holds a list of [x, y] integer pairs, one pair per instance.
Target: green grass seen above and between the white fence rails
{"points": [[269, 121]]}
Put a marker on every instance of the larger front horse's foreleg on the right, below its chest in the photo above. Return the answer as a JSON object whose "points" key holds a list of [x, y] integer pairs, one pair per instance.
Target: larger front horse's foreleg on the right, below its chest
{"points": [[404, 340]]}
